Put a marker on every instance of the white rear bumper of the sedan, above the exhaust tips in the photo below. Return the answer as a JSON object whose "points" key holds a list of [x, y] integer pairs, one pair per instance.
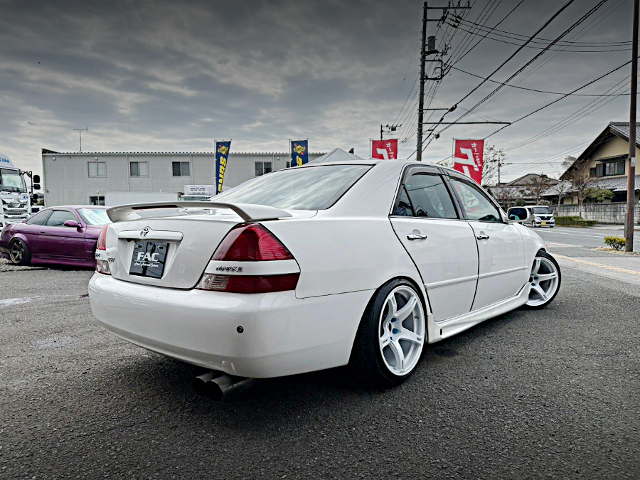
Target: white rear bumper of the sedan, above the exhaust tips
{"points": [[281, 334]]}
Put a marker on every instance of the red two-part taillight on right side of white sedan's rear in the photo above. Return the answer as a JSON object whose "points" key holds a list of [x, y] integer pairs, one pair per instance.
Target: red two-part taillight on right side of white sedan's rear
{"points": [[250, 243]]}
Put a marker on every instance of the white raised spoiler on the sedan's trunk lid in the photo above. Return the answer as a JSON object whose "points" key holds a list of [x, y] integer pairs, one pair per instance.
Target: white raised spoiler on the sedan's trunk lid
{"points": [[248, 212]]}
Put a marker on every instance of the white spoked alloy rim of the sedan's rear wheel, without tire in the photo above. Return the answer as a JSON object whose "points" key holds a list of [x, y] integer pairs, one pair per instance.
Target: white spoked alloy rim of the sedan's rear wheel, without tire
{"points": [[401, 330]]}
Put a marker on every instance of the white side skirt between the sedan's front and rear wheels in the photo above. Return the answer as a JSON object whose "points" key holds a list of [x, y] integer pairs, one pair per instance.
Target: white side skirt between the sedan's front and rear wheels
{"points": [[452, 326]]}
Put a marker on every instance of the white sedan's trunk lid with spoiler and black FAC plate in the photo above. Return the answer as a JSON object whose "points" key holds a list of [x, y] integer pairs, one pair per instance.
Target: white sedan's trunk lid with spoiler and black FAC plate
{"points": [[173, 251]]}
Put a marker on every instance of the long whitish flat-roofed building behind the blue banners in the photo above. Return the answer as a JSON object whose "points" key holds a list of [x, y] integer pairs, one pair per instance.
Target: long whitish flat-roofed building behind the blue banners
{"points": [[84, 178]]}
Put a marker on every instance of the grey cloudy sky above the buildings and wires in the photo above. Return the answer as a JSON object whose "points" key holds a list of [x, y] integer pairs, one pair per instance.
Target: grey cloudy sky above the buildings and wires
{"points": [[173, 76]]}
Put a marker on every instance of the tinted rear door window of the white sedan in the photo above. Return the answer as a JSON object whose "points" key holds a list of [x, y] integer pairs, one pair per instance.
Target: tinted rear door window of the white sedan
{"points": [[429, 196]]}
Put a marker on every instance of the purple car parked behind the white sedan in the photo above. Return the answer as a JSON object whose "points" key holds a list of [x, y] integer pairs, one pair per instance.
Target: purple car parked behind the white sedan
{"points": [[57, 235]]}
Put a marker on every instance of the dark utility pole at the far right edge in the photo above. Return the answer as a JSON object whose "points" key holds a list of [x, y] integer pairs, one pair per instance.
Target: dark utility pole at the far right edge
{"points": [[631, 190]]}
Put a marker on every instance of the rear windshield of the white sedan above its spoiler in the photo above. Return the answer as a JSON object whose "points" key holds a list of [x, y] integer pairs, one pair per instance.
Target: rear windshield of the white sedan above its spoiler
{"points": [[309, 188]]}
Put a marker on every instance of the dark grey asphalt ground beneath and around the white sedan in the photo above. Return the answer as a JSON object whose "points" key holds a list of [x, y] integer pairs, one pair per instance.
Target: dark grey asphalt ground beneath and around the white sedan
{"points": [[530, 394]]}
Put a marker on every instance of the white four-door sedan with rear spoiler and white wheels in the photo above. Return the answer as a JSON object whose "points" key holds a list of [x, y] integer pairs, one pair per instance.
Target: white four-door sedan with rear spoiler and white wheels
{"points": [[359, 263]]}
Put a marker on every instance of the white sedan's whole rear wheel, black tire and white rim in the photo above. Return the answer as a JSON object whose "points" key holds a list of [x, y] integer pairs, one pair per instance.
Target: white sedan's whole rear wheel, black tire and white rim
{"points": [[391, 336]]}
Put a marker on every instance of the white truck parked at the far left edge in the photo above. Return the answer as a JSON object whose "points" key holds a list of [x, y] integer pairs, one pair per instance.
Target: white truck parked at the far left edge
{"points": [[14, 193]]}
